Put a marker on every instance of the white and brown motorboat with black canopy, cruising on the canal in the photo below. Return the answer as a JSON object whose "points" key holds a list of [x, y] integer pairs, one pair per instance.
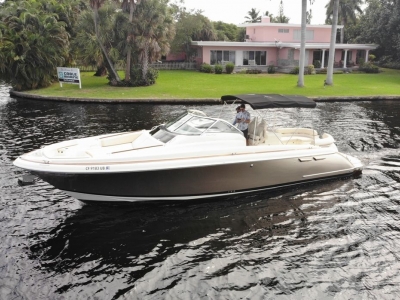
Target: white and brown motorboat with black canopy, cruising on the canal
{"points": [[192, 157]]}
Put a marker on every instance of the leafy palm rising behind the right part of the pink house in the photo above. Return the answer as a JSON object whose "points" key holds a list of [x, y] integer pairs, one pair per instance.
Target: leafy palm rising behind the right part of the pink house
{"points": [[346, 14]]}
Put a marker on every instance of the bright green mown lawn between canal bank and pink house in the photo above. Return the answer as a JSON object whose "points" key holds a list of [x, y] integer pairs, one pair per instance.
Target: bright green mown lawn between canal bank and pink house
{"points": [[193, 84]]}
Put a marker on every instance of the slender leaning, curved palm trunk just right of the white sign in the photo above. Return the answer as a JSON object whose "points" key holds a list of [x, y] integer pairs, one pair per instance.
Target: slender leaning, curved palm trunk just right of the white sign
{"points": [[114, 77]]}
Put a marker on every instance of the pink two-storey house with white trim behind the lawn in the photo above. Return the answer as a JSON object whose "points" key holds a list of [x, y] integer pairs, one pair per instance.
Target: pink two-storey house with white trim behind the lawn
{"points": [[278, 44]]}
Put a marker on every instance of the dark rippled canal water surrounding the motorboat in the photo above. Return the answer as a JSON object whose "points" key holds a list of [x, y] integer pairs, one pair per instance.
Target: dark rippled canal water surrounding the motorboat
{"points": [[337, 239]]}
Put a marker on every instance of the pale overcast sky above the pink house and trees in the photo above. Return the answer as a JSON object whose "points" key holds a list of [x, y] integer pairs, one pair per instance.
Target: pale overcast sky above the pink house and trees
{"points": [[234, 11]]}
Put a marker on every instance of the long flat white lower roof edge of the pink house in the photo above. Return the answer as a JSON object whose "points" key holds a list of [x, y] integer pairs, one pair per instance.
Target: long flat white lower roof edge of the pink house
{"points": [[285, 45]]}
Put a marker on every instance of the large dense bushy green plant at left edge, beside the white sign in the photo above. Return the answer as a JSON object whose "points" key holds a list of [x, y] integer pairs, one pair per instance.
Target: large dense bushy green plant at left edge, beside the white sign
{"points": [[33, 43]]}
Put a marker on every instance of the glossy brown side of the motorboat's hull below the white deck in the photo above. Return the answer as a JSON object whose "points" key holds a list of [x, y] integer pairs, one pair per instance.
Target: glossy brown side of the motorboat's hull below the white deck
{"points": [[200, 181]]}
